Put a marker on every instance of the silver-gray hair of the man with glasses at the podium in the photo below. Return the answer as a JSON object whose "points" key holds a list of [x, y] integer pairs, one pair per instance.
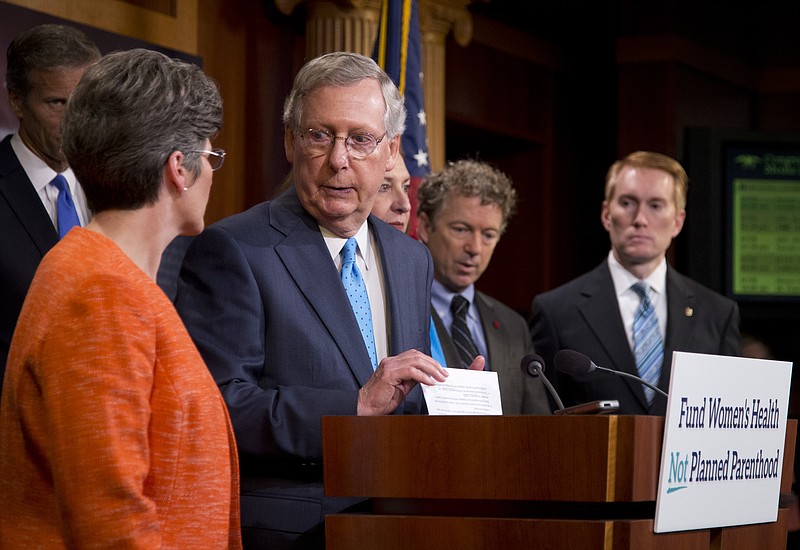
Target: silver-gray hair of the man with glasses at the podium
{"points": [[343, 69]]}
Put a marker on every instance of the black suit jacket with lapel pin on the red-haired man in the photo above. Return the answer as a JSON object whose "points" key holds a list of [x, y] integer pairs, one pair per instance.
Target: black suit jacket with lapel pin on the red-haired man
{"points": [[583, 315]]}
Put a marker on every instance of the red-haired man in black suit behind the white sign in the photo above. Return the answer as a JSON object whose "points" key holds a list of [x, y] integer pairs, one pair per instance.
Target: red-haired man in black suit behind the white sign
{"points": [[597, 313]]}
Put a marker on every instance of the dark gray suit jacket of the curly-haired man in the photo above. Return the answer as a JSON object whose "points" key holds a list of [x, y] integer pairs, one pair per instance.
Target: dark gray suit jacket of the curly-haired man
{"points": [[507, 342]]}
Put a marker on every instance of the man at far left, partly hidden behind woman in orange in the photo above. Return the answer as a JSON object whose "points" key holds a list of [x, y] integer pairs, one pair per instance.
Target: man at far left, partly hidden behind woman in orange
{"points": [[43, 66]]}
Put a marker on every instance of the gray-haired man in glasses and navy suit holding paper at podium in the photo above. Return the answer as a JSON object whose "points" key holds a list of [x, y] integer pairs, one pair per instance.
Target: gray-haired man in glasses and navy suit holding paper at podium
{"points": [[261, 295]]}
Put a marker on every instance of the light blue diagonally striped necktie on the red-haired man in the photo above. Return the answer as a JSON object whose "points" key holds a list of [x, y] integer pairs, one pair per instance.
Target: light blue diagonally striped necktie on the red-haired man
{"points": [[647, 344]]}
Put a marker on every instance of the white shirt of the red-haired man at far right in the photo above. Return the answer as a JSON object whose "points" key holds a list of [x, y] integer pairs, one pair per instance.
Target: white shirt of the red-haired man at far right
{"points": [[628, 300]]}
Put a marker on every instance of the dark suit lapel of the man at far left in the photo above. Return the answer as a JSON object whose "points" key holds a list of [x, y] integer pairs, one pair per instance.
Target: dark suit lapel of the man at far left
{"points": [[16, 189]]}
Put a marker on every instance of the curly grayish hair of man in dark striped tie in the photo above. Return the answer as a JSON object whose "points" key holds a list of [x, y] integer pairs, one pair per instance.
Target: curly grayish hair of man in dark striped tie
{"points": [[467, 178]]}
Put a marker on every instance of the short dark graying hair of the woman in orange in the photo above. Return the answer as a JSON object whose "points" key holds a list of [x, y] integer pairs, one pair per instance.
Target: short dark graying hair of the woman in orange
{"points": [[127, 115]]}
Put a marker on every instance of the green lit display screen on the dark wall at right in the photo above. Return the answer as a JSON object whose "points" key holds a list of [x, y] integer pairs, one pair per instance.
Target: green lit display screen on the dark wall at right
{"points": [[765, 224]]}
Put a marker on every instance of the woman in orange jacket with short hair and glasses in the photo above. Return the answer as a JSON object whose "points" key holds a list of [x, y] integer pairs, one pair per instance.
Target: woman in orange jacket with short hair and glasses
{"points": [[112, 430]]}
